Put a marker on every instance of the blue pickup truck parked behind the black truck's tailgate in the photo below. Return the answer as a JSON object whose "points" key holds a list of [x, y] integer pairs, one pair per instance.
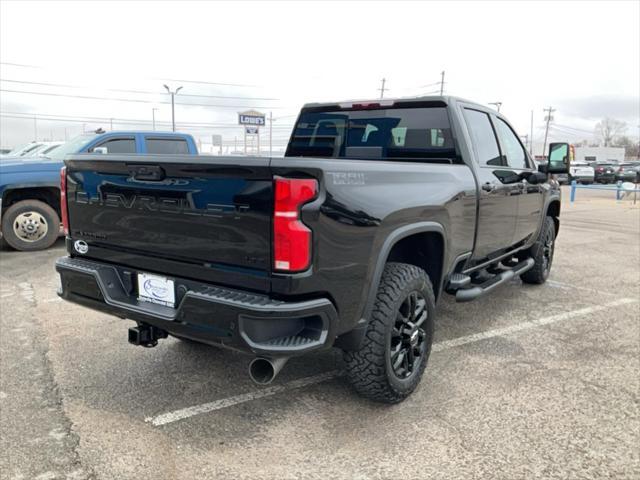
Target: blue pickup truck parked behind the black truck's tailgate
{"points": [[30, 187]]}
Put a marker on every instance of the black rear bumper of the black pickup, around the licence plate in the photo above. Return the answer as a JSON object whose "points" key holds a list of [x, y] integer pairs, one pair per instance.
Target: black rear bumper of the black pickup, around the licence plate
{"points": [[235, 319]]}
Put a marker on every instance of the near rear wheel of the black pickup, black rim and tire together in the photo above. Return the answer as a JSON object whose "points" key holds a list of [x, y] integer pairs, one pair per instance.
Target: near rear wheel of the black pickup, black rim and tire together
{"points": [[396, 347]]}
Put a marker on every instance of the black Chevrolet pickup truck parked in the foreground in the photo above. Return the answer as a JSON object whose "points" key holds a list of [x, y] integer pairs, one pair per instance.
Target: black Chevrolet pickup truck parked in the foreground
{"points": [[377, 209]]}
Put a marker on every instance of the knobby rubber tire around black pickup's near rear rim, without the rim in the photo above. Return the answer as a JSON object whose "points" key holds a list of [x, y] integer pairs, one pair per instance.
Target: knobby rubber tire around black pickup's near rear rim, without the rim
{"points": [[369, 369]]}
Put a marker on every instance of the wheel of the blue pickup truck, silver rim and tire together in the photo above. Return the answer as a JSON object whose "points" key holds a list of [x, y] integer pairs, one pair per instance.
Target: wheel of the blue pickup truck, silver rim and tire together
{"points": [[30, 225]]}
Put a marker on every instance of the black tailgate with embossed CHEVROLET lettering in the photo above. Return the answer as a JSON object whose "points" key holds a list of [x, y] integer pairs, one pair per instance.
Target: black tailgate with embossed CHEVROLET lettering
{"points": [[206, 217]]}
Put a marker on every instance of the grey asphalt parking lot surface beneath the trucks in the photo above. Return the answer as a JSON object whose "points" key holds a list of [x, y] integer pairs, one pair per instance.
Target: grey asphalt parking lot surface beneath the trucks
{"points": [[529, 382]]}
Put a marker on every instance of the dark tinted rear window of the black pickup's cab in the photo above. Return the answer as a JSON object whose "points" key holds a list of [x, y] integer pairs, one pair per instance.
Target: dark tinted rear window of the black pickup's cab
{"points": [[378, 134]]}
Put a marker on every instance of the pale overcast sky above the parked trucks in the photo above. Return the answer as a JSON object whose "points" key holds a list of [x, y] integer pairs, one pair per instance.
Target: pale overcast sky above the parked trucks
{"points": [[582, 58]]}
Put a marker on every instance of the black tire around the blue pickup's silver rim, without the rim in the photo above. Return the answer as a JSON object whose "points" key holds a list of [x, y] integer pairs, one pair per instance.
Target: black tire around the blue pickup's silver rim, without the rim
{"points": [[36, 207]]}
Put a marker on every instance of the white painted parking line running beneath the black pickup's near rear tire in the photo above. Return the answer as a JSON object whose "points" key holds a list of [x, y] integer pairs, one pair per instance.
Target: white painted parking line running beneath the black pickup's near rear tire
{"points": [[183, 413]]}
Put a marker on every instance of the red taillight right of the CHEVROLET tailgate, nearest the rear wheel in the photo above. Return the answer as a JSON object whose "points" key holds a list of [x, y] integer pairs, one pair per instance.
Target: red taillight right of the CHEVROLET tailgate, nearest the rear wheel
{"points": [[291, 237]]}
